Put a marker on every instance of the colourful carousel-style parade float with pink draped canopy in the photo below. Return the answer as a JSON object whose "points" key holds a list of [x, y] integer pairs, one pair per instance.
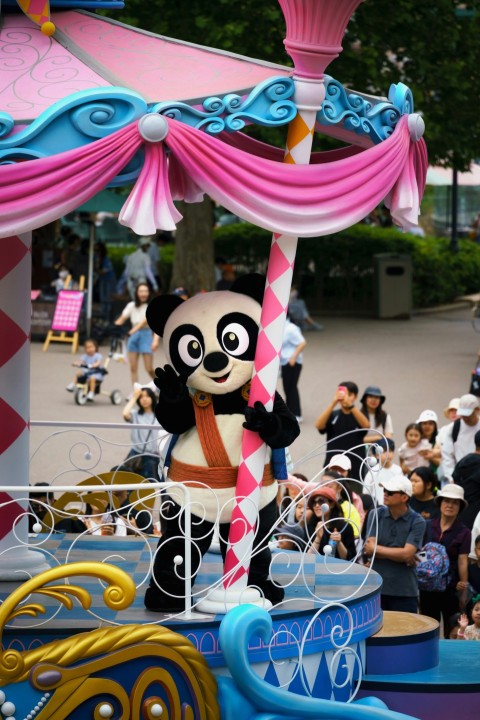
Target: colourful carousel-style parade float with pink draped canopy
{"points": [[85, 103]]}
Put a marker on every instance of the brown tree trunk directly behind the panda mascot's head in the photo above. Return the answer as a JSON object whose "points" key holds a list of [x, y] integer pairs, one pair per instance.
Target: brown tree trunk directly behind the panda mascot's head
{"points": [[193, 267]]}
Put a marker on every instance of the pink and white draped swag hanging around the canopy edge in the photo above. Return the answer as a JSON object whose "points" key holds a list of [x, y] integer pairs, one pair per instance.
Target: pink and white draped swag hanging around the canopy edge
{"points": [[303, 201]]}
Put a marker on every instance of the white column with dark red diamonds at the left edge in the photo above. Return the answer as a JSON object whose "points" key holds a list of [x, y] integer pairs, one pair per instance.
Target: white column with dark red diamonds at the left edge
{"points": [[17, 562]]}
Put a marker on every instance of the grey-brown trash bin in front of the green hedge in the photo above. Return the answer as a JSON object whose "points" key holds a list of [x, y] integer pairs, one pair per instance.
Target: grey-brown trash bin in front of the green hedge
{"points": [[393, 285]]}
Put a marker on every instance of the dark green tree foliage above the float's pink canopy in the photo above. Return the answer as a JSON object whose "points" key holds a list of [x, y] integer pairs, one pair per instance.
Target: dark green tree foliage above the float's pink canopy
{"points": [[430, 45]]}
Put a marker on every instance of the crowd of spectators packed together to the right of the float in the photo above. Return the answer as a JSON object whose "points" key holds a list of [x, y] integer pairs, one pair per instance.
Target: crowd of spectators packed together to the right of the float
{"points": [[385, 514]]}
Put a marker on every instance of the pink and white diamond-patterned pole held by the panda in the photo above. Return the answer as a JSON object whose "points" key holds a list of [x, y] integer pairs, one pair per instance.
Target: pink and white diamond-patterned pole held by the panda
{"points": [[315, 30]]}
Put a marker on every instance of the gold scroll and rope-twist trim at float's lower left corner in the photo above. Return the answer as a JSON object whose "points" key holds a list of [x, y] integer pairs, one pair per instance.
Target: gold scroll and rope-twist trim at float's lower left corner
{"points": [[49, 667]]}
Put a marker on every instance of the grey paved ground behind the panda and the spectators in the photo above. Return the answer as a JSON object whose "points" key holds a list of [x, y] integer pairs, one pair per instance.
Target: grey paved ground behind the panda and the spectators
{"points": [[419, 363]]}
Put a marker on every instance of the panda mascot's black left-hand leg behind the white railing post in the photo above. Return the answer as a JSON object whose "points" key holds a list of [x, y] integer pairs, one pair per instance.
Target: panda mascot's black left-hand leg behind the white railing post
{"points": [[166, 591]]}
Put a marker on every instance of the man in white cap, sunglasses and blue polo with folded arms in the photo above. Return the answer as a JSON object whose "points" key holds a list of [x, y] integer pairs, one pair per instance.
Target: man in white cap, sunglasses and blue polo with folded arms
{"points": [[391, 545]]}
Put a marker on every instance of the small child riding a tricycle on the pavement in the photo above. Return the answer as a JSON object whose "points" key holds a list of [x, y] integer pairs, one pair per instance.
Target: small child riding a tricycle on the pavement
{"points": [[88, 380]]}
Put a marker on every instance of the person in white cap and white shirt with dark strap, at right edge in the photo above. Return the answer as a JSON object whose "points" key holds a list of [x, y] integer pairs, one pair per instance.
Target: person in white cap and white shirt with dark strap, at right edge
{"points": [[459, 441]]}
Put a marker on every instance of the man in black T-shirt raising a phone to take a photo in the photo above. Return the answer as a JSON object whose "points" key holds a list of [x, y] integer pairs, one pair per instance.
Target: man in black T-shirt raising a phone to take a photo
{"points": [[345, 426]]}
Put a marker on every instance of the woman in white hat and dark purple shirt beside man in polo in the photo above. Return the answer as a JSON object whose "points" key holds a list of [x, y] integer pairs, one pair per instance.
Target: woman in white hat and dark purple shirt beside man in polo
{"points": [[450, 532]]}
